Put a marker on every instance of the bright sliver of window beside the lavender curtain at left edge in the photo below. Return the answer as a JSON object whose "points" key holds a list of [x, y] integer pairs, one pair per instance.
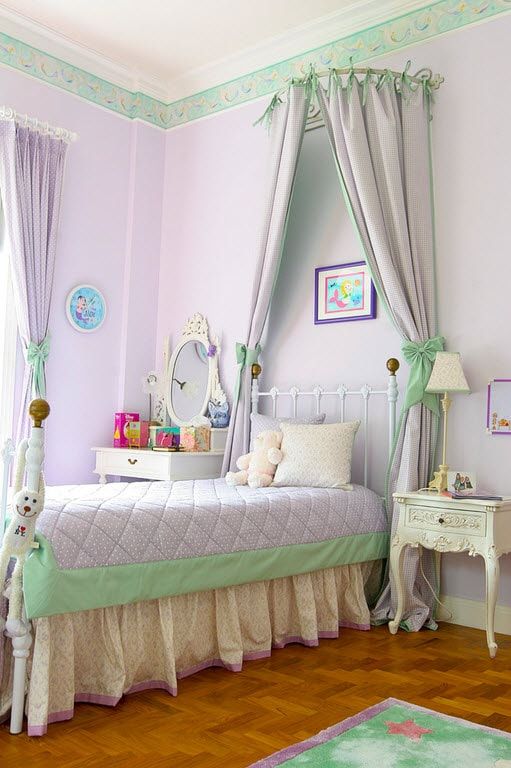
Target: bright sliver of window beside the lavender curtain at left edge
{"points": [[8, 337]]}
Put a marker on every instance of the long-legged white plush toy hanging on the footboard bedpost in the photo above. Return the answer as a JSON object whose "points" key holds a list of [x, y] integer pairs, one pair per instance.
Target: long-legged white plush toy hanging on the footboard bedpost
{"points": [[18, 541]]}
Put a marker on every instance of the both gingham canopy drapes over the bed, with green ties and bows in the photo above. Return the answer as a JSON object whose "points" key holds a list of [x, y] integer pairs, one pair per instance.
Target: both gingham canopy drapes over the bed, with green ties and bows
{"points": [[379, 131]]}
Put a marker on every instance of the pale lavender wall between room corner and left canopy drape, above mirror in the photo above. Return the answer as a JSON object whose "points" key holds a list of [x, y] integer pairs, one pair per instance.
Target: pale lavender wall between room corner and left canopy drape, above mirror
{"points": [[214, 185]]}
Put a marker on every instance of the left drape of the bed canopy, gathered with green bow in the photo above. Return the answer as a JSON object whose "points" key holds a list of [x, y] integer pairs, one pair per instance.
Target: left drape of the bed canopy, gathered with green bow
{"points": [[287, 127]]}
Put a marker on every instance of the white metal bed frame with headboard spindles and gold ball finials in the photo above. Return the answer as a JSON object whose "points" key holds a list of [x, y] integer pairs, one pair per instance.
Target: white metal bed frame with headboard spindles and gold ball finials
{"points": [[39, 410]]}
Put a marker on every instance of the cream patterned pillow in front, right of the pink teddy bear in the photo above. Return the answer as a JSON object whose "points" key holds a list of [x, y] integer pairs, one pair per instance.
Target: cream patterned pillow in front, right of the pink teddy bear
{"points": [[318, 456]]}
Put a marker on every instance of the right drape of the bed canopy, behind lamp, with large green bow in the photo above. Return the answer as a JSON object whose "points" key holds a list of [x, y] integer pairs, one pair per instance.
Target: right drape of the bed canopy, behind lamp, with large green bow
{"points": [[380, 139]]}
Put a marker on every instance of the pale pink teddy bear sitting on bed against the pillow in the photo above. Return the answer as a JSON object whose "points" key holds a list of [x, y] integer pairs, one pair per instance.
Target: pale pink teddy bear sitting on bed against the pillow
{"points": [[258, 467]]}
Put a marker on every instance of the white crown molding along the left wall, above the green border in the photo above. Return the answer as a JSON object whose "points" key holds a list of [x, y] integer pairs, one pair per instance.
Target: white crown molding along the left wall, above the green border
{"points": [[46, 40]]}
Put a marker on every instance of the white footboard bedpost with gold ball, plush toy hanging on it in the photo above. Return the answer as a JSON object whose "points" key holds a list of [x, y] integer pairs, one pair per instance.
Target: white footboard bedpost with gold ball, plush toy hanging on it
{"points": [[39, 411]]}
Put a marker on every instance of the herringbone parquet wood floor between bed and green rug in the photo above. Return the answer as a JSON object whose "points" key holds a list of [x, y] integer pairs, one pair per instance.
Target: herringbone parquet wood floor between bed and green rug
{"points": [[225, 720]]}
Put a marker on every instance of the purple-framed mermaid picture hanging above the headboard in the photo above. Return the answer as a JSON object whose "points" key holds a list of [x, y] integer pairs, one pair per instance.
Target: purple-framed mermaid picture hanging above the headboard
{"points": [[344, 292]]}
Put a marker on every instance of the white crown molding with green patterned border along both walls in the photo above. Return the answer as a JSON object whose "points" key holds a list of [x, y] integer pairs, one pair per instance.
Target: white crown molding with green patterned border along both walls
{"points": [[108, 84]]}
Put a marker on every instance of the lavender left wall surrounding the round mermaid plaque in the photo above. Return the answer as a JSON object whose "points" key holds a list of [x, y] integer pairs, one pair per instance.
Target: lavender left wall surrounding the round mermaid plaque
{"points": [[110, 237]]}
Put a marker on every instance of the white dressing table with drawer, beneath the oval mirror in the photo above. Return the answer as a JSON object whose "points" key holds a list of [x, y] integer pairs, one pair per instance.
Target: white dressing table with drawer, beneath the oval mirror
{"points": [[147, 464]]}
